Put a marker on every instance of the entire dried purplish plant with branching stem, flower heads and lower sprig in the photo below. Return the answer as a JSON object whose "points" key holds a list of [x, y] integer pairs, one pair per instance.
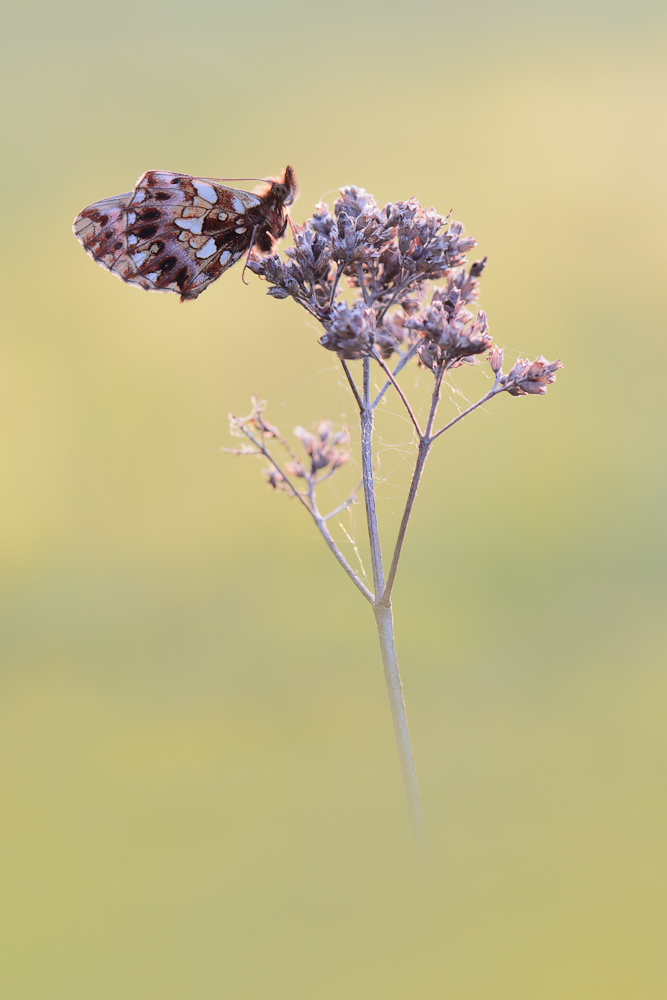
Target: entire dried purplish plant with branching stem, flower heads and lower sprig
{"points": [[412, 290]]}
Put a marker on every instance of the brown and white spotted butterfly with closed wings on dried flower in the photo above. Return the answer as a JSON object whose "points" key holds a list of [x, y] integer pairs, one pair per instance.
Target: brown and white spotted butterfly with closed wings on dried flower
{"points": [[177, 233]]}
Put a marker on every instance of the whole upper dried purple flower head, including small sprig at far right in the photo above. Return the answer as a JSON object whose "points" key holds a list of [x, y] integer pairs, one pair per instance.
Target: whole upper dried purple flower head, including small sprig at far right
{"points": [[390, 256]]}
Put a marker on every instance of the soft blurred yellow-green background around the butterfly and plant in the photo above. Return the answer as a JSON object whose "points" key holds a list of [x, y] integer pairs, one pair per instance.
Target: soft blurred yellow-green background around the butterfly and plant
{"points": [[200, 790]]}
